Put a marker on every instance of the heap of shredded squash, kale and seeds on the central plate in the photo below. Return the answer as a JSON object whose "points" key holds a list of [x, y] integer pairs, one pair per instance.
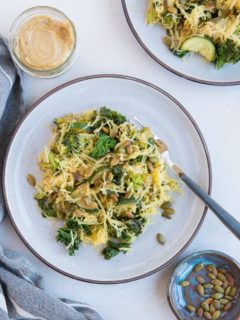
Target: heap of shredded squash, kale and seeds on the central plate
{"points": [[103, 178]]}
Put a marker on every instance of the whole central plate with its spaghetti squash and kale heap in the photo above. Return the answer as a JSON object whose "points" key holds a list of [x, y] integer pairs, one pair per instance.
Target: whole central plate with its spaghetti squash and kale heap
{"points": [[87, 189]]}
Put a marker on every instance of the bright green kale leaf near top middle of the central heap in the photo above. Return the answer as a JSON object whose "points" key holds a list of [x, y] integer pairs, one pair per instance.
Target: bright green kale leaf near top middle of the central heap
{"points": [[104, 145]]}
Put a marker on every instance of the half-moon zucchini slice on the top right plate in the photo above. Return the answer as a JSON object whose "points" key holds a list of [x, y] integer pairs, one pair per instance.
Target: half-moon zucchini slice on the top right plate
{"points": [[200, 45]]}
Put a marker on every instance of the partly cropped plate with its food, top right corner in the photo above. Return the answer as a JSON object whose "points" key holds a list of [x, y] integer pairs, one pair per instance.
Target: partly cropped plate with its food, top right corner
{"points": [[197, 40]]}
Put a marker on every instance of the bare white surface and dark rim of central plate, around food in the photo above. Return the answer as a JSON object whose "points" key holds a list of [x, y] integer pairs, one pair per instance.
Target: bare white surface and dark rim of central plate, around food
{"points": [[132, 97]]}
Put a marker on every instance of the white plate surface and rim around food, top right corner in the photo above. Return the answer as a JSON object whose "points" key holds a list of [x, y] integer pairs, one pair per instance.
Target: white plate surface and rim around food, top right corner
{"points": [[191, 67]]}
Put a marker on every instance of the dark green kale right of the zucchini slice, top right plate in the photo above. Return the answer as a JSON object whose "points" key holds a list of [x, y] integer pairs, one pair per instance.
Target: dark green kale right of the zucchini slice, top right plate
{"points": [[228, 52]]}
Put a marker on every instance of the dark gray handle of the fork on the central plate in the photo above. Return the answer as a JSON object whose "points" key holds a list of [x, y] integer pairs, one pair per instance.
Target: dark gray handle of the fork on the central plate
{"points": [[229, 221]]}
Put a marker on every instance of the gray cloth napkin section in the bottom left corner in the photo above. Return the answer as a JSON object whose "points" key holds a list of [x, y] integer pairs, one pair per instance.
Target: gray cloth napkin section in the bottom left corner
{"points": [[21, 296]]}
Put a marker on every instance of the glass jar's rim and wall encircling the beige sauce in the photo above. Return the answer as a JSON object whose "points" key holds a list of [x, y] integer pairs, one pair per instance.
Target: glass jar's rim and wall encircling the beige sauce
{"points": [[54, 15]]}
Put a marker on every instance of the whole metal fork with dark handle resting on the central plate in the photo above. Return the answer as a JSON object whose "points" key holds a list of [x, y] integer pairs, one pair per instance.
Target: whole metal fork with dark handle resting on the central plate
{"points": [[230, 222]]}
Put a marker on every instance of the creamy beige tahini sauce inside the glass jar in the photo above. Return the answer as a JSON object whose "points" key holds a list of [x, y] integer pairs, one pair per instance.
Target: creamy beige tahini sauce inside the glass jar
{"points": [[44, 43]]}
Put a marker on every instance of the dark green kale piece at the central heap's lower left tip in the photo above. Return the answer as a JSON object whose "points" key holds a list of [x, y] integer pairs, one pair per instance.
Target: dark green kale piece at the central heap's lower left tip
{"points": [[69, 238]]}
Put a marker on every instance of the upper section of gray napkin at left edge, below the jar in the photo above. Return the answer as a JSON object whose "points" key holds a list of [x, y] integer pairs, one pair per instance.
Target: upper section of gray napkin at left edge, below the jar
{"points": [[11, 105]]}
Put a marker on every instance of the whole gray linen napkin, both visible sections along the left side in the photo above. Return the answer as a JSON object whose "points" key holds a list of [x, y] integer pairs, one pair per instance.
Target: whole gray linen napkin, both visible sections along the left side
{"points": [[21, 296]]}
